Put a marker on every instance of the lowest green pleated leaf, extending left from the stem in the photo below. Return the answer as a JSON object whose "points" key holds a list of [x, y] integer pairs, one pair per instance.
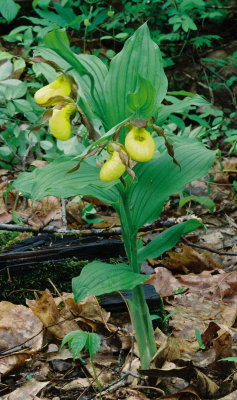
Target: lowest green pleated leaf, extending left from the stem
{"points": [[99, 278]]}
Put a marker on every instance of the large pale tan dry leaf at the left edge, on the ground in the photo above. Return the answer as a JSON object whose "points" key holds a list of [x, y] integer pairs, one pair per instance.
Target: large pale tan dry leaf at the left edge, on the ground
{"points": [[20, 330]]}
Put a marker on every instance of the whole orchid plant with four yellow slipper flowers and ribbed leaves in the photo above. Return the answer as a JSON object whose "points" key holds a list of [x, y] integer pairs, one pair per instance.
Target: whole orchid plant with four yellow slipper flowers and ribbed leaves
{"points": [[121, 108]]}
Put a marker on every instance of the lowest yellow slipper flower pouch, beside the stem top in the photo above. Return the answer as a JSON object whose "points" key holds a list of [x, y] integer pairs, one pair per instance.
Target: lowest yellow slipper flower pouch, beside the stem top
{"points": [[113, 168]]}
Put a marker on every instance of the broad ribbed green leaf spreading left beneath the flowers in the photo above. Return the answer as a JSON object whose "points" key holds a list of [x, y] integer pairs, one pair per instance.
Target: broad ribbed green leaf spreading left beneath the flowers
{"points": [[54, 180]]}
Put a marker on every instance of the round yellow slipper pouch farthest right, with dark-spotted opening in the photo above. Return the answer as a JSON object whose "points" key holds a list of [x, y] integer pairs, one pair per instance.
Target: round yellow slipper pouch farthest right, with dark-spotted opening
{"points": [[139, 144]]}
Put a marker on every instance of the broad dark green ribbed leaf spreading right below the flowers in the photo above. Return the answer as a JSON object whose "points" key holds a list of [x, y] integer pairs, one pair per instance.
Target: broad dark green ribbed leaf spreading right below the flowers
{"points": [[160, 178]]}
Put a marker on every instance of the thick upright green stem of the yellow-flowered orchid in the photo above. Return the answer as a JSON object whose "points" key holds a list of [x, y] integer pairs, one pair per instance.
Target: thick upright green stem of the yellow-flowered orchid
{"points": [[140, 315]]}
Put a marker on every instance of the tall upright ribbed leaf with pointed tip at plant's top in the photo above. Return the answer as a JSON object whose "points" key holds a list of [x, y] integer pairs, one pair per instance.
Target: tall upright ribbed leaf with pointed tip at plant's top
{"points": [[138, 62]]}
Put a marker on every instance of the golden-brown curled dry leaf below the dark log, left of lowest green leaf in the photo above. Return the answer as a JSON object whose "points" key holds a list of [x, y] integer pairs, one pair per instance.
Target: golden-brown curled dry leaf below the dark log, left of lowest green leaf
{"points": [[46, 310]]}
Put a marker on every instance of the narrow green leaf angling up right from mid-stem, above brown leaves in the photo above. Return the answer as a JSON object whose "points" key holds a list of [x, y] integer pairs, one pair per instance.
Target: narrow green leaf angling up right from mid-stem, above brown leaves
{"points": [[167, 239]]}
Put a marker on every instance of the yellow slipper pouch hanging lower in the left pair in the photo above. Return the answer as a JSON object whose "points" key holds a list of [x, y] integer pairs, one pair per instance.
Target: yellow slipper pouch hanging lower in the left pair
{"points": [[59, 123]]}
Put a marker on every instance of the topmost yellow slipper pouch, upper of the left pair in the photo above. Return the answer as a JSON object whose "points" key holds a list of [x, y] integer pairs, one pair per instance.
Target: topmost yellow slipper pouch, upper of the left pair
{"points": [[60, 87]]}
